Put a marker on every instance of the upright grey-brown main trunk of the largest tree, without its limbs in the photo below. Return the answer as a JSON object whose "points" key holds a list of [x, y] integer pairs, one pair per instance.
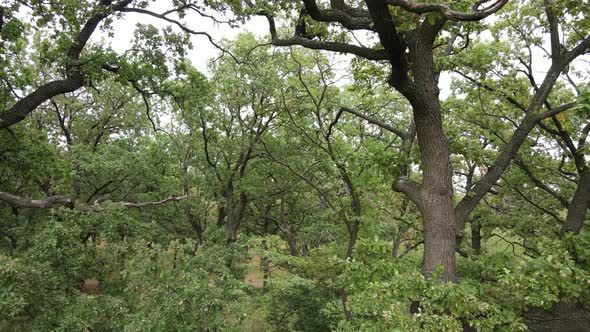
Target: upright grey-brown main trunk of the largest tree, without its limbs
{"points": [[436, 191]]}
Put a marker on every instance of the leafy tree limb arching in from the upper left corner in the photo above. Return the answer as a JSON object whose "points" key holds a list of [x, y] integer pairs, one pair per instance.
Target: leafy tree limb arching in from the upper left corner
{"points": [[64, 33]]}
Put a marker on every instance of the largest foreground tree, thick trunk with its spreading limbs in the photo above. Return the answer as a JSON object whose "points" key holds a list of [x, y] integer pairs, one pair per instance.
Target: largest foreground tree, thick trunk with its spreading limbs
{"points": [[407, 34]]}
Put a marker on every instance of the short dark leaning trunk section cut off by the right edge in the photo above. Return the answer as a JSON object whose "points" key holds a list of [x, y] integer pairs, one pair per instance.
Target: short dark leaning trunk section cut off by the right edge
{"points": [[578, 208]]}
